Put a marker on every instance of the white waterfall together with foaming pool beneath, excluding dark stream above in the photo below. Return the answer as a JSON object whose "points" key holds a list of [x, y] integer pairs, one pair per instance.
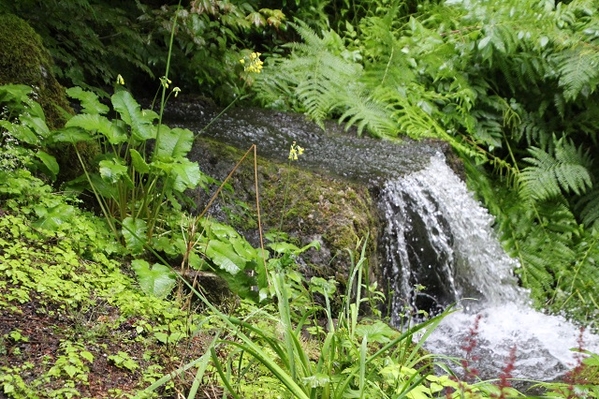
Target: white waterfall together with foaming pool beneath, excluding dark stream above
{"points": [[440, 249]]}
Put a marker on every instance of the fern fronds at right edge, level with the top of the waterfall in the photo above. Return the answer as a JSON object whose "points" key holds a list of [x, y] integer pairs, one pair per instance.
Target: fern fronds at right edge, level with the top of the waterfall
{"points": [[551, 174]]}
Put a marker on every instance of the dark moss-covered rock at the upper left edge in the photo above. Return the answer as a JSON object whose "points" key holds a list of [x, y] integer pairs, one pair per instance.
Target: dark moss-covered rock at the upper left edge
{"points": [[24, 60]]}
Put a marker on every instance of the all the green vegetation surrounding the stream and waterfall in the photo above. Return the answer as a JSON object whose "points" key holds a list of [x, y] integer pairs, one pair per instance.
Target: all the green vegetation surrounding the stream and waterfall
{"points": [[100, 304]]}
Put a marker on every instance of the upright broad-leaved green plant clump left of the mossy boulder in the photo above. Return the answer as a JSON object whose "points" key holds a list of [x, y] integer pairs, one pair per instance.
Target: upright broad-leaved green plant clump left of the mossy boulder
{"points": [[132, 185]]}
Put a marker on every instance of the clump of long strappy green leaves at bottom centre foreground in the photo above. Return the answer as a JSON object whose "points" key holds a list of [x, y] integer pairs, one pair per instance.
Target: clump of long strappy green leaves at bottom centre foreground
{"points": [[352, 359]]}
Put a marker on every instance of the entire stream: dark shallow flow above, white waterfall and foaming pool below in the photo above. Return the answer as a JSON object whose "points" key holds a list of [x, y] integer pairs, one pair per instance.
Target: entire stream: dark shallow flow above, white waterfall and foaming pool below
{"points": [[436, 235]]}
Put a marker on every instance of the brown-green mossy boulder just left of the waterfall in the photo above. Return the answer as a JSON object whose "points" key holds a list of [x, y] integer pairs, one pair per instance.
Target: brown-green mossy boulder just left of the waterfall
{"points": [[305, 205]]}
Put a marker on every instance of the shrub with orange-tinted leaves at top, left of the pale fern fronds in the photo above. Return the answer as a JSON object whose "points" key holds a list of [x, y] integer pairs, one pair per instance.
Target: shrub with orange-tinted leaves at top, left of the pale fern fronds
{"points": [[211, 39]]}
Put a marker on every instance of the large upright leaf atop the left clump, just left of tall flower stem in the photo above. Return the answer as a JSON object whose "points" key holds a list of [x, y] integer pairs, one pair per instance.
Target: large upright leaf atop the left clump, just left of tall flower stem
{"points": [[141, 122]]}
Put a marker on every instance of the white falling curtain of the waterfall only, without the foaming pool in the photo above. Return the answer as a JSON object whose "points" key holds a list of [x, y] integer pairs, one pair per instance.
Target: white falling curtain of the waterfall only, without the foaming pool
{"points": [[437, 236]]}
